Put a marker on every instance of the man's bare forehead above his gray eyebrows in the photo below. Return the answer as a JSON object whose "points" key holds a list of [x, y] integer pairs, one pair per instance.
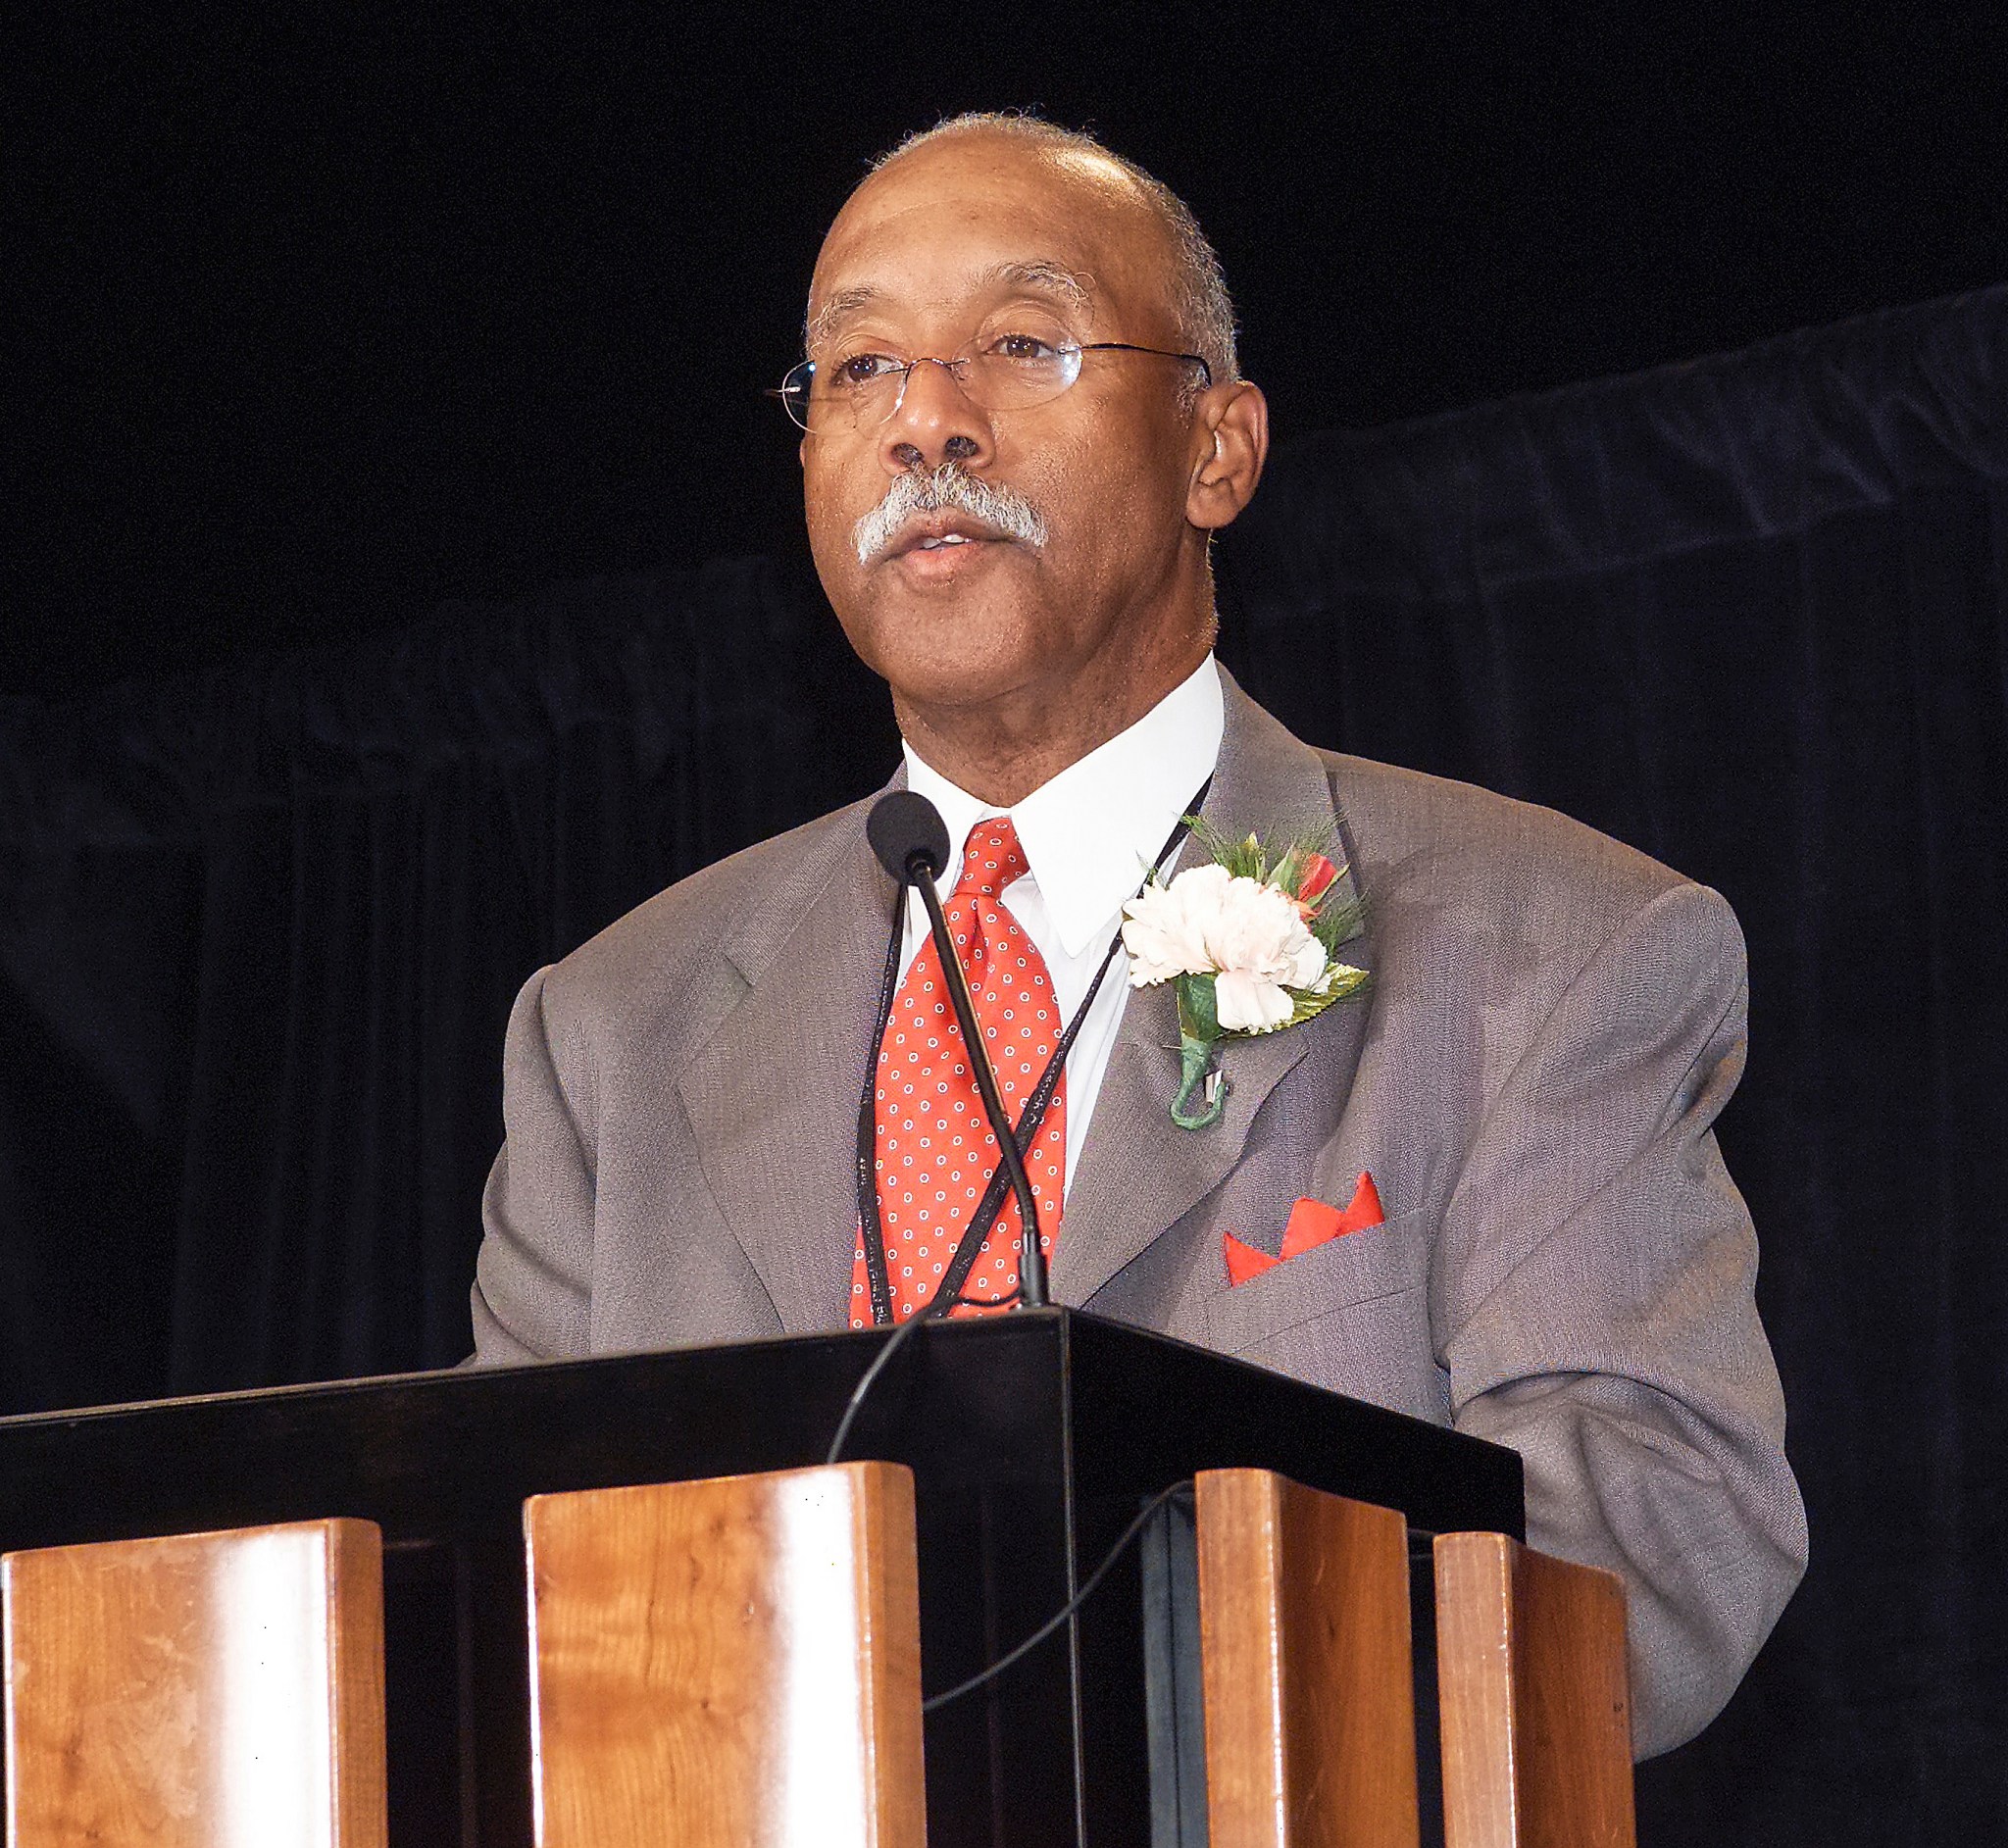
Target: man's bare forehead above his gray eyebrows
{"points": [[953, 222]]}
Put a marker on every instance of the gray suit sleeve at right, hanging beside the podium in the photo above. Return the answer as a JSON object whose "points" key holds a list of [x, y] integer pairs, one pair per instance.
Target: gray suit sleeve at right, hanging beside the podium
{"points": [[1593, 1301]]}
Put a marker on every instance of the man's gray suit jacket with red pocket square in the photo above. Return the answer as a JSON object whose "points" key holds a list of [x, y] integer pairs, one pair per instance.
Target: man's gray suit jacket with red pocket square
{"points": [[1553, 1027]]}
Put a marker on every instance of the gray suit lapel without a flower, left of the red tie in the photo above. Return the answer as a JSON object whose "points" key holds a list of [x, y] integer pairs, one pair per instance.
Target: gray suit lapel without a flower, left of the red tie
{"points": [[772, 1094]]}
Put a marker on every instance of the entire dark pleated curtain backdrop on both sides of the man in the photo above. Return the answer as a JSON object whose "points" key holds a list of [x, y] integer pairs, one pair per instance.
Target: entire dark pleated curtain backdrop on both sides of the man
{"points": [[260, 931]]}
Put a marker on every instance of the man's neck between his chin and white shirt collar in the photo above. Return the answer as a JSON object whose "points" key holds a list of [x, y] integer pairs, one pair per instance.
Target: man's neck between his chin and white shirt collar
{"points": [[1007, 748]]}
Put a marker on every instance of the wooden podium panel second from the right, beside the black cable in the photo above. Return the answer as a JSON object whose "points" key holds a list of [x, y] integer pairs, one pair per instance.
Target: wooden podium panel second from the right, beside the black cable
{"points": [[1306, 1658]]}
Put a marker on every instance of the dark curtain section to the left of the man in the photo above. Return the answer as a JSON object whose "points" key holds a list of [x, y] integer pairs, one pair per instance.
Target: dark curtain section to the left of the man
{"points": [[260, 931]]}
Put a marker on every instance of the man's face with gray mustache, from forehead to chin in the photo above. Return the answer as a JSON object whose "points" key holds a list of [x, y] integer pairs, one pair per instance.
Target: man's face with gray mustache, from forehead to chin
{"points": [[961, 242]]}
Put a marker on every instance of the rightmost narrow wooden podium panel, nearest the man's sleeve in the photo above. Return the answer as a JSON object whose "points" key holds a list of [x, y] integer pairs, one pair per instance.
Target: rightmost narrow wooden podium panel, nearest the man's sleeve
{"points": [[1535, 1698]]}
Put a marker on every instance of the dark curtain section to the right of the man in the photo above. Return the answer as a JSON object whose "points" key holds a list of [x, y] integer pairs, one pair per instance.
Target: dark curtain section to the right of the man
{"points": [[1752, 616]]}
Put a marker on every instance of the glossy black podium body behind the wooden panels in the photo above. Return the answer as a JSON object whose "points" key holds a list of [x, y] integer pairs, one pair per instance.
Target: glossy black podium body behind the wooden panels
{"points": [[1035, 1441]]}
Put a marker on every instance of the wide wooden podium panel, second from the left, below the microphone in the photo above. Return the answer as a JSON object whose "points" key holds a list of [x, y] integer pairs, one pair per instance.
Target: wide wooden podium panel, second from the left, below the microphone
{"points": [[728, 1662]]}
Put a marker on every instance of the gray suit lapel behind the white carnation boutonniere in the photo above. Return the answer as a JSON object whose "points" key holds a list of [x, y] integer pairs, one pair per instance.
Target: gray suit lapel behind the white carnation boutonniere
{"points": [[1140, 1172]]}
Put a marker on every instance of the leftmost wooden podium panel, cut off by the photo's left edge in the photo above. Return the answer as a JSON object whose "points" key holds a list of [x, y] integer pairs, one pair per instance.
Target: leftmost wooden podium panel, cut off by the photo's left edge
{"points": [[216, 1690]]}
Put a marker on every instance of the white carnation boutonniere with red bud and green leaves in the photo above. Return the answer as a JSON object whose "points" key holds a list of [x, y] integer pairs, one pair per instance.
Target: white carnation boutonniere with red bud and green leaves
{"points": [[1252, 941]]}
